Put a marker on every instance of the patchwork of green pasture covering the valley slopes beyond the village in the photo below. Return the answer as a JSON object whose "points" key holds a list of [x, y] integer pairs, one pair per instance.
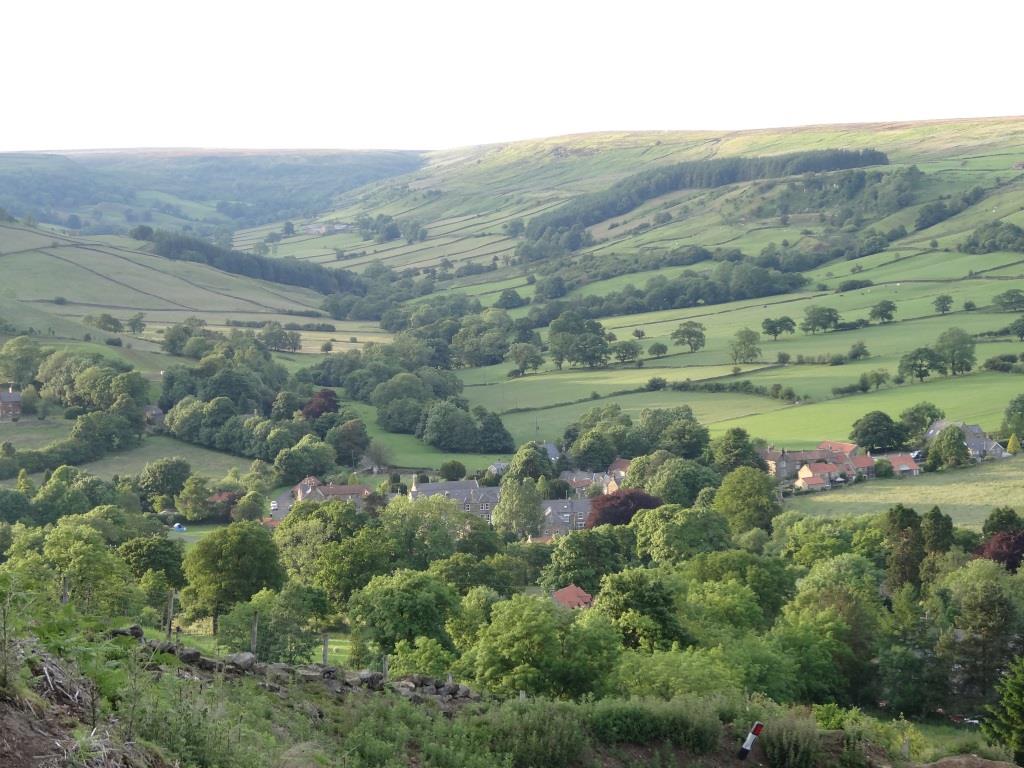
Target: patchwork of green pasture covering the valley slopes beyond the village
{"points": [[820, 230]]}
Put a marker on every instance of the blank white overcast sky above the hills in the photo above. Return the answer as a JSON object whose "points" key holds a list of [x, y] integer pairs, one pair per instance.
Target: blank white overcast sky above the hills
{"points": [[433, 75]]}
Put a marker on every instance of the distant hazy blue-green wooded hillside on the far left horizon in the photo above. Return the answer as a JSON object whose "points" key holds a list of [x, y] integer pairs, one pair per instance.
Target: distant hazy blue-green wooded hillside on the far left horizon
{"points": [[198, 191]]}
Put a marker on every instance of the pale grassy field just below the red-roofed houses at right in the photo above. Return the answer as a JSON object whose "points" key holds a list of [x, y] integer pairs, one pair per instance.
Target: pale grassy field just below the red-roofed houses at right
{"points": [[968, 495]]}
